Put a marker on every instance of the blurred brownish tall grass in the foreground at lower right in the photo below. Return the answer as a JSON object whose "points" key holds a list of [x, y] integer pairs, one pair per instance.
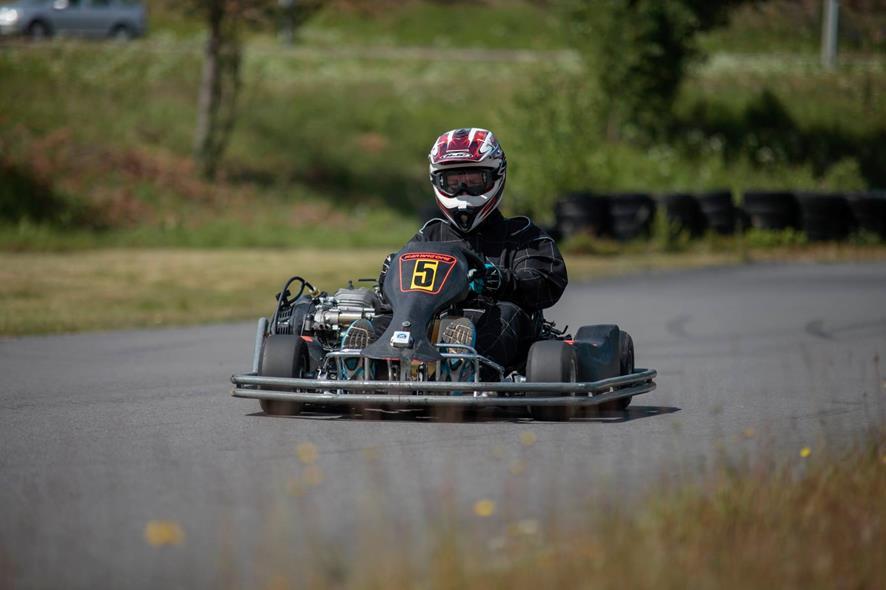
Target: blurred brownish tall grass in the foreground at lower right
{"points": [[813, 519]]}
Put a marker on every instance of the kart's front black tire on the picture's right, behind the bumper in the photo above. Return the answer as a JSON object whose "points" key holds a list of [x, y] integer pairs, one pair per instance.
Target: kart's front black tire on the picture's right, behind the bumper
{"points": [[551, 361]]}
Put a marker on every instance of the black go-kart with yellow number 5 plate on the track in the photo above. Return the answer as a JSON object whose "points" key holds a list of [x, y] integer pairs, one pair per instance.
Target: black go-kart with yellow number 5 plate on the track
{"points": [[299, 359]]}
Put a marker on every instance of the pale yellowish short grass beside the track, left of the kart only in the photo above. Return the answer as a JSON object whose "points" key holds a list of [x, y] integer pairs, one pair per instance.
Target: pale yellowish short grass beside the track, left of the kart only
{"points": [[112, 289]]}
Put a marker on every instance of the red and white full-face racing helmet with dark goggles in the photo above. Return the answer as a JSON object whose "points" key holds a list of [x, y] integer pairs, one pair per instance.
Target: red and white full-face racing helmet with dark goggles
{"points": [[467, 170]]}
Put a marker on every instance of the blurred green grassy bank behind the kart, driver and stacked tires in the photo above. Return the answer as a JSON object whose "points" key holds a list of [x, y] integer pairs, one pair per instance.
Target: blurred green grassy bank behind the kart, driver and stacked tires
{"points": [[336, 137]]}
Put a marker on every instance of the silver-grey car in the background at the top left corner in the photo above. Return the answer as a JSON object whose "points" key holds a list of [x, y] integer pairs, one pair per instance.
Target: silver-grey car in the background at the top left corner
{"points": [[121, 19]]}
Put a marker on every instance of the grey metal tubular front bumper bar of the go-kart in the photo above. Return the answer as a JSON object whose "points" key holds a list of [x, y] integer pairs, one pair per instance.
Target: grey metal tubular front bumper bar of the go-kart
{"points": [[443, 393]]}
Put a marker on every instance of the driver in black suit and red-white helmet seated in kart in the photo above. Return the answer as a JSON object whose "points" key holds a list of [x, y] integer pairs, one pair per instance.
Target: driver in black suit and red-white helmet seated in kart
{"points": [[525, 272]]}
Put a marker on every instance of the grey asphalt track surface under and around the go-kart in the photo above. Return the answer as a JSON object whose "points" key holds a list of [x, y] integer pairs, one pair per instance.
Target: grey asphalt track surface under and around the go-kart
{"points": [[102, 433]]}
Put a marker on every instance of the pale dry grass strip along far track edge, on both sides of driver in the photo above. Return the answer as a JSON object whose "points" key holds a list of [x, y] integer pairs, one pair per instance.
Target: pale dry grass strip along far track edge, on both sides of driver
{"points": [[116, 288]]}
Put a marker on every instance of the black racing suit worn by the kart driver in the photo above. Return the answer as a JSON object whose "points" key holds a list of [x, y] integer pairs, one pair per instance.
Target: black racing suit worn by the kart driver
{"points": [[533, 278]]}
